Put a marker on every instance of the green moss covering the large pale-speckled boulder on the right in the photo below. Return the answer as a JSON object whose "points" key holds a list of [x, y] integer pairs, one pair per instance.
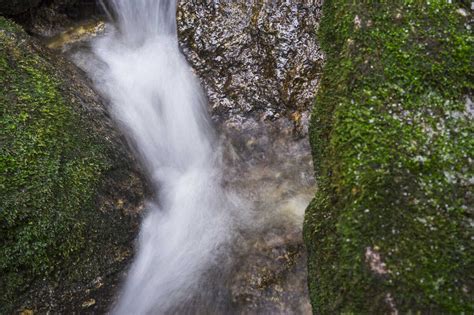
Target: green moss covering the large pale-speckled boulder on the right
{"points": [[393, 142]]}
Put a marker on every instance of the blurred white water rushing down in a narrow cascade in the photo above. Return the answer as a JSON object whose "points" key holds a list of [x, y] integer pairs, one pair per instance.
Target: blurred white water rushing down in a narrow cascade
{"points": [[159, 103]]}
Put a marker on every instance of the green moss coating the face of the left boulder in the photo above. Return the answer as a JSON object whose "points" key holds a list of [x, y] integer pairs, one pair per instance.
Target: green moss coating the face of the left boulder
{"points": [[51, 166]]}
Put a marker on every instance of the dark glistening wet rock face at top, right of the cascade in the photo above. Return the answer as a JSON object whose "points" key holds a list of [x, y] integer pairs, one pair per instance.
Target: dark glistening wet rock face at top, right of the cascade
{"points": [[258, 59]]}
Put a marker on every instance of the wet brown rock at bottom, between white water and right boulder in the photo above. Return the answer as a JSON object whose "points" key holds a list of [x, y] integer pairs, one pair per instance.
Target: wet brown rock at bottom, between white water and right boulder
{"points": [[271, 277]]}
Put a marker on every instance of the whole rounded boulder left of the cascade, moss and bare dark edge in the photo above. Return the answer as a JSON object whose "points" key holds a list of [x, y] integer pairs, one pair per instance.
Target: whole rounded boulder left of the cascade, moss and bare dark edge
{"points": [[69, 186]]}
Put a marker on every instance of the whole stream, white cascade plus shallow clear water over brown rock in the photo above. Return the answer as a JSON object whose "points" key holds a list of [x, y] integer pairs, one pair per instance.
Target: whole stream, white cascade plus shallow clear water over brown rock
{"points": [[207, 215]]}
